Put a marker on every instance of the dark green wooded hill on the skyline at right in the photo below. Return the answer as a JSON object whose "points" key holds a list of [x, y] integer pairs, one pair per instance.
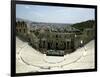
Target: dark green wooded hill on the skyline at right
{"points": [[83, 25]]}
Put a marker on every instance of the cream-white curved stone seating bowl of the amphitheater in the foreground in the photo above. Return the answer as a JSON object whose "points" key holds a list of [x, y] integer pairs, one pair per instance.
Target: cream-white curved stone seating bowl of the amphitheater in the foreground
{"points": [[30, 60]]}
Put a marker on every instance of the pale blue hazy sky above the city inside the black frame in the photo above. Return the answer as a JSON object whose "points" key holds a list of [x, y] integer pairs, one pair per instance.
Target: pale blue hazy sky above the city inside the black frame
{"points": [[54, 14]]}
